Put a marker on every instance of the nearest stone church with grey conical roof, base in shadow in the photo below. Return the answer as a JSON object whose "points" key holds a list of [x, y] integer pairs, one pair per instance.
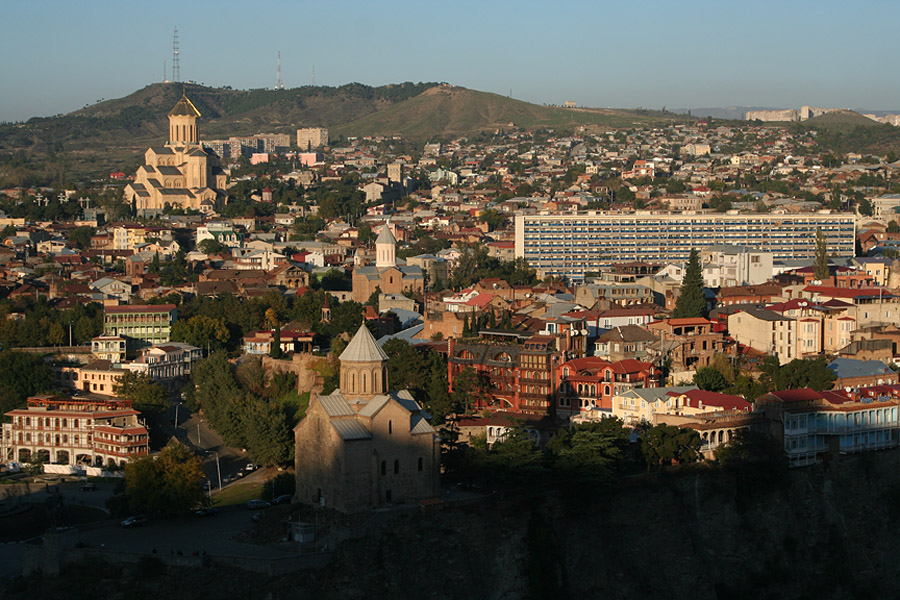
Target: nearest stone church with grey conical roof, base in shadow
{"points": [[363, 446]]}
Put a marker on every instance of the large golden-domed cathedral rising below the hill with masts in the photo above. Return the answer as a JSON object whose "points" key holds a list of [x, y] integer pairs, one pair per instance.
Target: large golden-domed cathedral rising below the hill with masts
{"points": [[181, 174]]}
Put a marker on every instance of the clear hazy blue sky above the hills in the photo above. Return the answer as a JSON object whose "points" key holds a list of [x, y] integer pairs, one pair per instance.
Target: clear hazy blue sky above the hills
{"points": [[58, 56]]}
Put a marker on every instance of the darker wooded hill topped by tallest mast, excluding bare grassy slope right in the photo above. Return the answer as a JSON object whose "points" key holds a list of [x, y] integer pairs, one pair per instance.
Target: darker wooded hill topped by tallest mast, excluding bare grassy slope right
{"points": [[113, 134]]}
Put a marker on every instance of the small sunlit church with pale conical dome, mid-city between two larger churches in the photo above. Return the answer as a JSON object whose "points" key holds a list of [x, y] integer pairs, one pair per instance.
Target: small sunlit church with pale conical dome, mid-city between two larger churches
{"points": [[387, 274]]}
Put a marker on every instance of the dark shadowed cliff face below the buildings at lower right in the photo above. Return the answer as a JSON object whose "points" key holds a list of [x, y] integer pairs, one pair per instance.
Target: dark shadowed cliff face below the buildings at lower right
{"points": [[823, 532]]}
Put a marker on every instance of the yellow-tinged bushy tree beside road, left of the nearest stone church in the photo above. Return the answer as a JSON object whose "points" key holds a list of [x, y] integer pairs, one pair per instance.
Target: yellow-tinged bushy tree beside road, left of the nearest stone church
{"points": [[166, 484]]}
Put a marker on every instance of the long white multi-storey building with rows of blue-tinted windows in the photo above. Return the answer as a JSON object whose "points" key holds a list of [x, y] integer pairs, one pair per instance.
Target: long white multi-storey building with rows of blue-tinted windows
{"points": [[568, 245]]}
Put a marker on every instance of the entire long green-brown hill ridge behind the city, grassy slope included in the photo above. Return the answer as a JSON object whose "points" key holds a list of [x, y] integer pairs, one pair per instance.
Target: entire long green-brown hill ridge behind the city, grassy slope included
{"points": [[113, 134]]}
